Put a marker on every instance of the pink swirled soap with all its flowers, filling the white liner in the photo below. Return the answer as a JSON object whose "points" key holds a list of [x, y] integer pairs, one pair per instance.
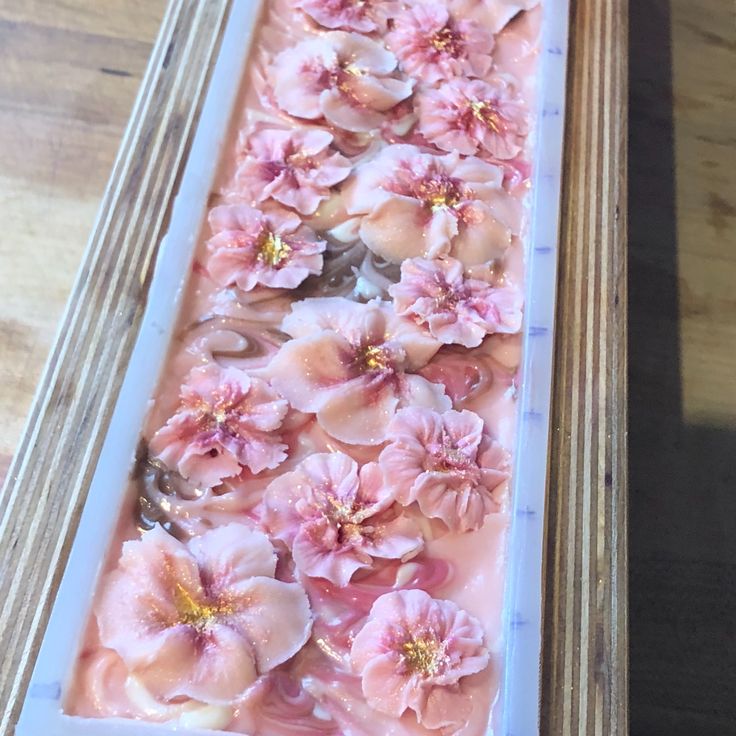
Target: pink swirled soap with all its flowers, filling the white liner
{"points": [[355, 300]]}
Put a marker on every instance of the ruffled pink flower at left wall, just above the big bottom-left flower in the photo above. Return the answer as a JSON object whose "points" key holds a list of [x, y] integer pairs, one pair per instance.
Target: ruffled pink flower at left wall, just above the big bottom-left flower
{"points": [[226, 421]]}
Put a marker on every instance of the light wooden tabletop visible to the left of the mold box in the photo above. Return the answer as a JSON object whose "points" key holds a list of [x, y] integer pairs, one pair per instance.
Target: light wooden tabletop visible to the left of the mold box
{"points": [[68, 79]]}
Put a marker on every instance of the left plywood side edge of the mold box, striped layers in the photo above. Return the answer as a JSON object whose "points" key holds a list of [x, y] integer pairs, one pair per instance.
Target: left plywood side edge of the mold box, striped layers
{"points": [[48, 480]]}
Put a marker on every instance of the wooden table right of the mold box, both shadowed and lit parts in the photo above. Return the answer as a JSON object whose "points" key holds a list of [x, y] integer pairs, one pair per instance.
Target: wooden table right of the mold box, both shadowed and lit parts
{"points": [[682, 375]]}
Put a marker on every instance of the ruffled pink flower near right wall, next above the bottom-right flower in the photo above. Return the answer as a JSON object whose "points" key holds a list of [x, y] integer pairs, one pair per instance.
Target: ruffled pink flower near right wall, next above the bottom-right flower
{"points": [[446, 463]]}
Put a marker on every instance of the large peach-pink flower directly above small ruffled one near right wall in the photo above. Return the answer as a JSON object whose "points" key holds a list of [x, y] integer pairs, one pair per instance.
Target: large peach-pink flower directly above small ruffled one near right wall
{"points": [[419, 204]]}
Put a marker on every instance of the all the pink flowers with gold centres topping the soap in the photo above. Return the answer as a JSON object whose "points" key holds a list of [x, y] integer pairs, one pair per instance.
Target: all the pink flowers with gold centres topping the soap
{"points": [[205, 618]]}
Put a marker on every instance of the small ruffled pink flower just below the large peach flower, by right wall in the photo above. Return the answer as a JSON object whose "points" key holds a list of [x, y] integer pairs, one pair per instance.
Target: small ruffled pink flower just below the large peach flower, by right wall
{"points": [[455, 309]]}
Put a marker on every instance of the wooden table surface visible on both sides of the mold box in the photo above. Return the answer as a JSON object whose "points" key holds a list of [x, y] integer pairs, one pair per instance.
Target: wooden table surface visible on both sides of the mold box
{"points": [[70, 75]]}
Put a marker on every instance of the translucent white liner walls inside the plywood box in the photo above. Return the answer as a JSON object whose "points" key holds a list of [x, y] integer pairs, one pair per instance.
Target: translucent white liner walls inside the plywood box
{"points": [[520, 691]]}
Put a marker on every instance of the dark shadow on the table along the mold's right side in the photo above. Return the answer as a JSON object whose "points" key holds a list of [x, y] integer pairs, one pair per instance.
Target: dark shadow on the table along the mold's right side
{"points": [[682, 492]]}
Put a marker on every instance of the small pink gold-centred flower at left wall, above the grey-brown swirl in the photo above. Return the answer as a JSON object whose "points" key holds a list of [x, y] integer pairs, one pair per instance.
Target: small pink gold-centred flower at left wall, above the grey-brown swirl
{"points": [[251, 247]]}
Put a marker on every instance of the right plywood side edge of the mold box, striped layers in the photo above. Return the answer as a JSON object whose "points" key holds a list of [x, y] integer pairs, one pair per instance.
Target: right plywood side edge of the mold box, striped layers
{"points": [[585, 629]]}
